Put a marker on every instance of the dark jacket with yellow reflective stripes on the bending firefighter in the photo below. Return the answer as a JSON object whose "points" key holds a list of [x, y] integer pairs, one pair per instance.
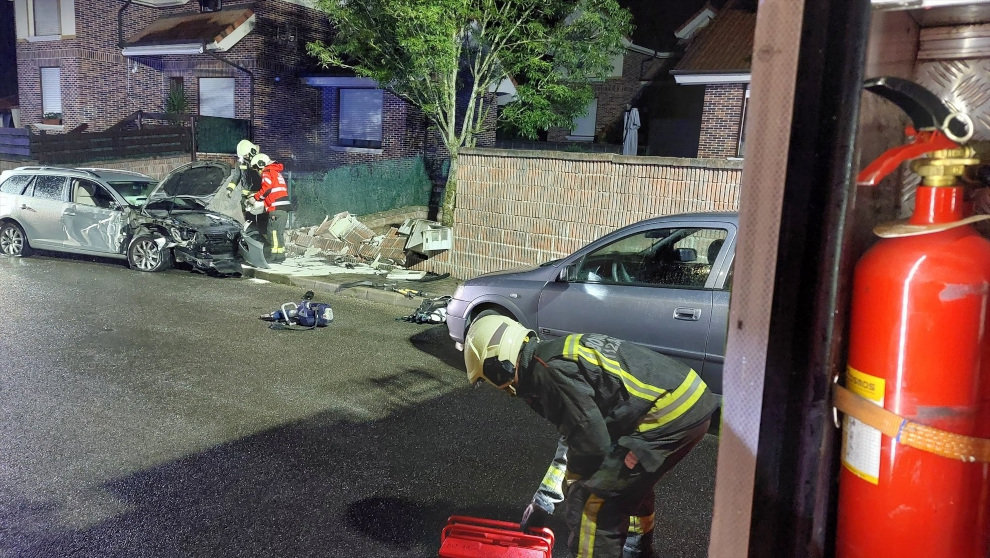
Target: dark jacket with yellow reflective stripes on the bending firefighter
{"points": [[601, 391]]}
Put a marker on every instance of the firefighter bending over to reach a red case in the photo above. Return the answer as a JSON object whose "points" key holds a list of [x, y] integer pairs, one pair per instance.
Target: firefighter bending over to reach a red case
{"points": [[626, 416]]}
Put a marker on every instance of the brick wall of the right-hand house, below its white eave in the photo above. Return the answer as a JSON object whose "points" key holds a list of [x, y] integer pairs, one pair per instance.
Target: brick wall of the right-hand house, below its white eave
{"points": [[721, 120]]}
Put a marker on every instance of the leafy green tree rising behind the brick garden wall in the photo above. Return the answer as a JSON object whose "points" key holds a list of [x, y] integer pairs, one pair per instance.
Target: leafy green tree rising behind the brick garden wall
{"points": [[446, 56]]}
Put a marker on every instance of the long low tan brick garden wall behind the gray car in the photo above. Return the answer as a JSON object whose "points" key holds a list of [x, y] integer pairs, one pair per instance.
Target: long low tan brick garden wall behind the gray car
{"points": [[521, 208]]}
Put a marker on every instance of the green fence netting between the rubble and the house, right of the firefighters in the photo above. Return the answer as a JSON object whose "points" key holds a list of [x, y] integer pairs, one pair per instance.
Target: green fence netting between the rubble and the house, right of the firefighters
{"points": [[359, 189]]}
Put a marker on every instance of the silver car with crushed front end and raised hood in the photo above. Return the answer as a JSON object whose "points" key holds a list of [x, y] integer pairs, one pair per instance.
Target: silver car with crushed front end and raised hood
{"points": [[127, 215]]}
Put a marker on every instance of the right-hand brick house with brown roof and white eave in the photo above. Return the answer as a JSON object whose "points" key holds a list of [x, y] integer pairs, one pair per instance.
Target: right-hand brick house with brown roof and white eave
{"points": [[718, 58]]}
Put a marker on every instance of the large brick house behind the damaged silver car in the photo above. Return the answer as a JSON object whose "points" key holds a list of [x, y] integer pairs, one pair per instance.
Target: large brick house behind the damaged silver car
{"points": [[96, 63]]}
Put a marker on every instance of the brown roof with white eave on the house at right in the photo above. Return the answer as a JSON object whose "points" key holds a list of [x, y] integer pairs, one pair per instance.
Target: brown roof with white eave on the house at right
{"points": [[724, 47]]}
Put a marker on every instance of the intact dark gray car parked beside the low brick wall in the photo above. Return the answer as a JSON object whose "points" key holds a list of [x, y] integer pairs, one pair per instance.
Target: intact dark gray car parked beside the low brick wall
{"points": [[663, 283]]}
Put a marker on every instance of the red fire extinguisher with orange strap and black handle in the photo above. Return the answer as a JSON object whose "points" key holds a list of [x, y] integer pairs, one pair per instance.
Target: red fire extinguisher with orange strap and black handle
{"points": [[914, 480]]}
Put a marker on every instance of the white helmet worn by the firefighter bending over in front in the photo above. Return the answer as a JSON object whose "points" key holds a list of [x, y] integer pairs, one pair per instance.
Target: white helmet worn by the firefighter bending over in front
{"points": [[491, 351]]}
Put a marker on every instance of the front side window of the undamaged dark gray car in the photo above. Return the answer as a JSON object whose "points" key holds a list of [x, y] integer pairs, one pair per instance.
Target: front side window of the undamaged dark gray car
{"points": [[671, 257]]}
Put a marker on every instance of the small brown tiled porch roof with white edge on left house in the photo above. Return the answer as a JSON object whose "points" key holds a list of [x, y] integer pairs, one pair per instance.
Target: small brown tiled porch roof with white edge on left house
{"points": [[182, 34]]}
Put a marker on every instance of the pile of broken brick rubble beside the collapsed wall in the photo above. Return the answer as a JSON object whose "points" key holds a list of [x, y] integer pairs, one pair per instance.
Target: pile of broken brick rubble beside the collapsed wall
{"points": [[344, 239]]}
